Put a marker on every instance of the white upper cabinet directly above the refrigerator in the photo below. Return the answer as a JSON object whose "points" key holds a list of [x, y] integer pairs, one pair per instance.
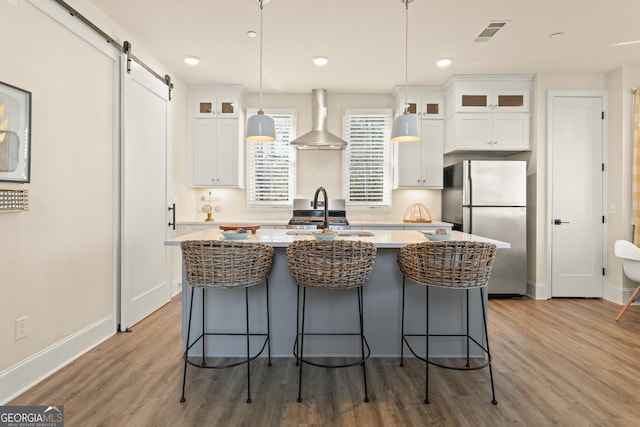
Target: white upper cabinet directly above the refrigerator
{"points": [[487, 113]]}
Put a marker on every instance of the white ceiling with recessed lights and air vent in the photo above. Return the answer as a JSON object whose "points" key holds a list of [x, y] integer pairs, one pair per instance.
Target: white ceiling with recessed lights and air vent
{"points": [[364, 40]]}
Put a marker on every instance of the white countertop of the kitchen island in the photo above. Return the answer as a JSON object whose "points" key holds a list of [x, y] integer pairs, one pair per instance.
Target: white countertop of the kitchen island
{"points": [[380, 238]]}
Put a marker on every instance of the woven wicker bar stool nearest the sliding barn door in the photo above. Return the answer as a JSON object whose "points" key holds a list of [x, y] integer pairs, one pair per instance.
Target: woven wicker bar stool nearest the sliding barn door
{"points": [[219, 265]]}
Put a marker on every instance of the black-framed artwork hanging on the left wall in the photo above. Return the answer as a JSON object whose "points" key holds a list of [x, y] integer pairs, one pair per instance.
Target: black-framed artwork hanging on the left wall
{"points": [[15, 134]]}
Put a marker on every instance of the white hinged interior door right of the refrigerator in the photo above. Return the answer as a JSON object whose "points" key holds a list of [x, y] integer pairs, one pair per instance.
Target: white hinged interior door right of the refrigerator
{"points": [[576, 140]]}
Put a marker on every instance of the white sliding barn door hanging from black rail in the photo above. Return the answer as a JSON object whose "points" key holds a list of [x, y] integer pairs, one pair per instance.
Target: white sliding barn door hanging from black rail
{"points": [[145, 283]]}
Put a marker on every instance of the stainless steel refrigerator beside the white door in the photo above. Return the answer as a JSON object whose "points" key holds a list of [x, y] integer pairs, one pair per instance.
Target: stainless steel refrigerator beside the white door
{"points": [[488, 198]]}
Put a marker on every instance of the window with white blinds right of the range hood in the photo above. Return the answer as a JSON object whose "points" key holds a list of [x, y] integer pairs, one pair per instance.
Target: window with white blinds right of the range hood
{"points": [[366, 164]]}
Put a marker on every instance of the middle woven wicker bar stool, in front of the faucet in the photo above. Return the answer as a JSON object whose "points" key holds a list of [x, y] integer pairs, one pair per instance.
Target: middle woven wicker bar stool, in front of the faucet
{"points": [[333, 265]]}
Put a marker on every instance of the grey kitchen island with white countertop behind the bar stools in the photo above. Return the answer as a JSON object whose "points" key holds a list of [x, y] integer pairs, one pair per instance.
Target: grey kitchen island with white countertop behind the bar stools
{"points": [[336, 310]]}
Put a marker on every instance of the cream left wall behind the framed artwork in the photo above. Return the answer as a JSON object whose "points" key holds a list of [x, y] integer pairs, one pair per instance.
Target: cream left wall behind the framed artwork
{"points": [[58, 254]]}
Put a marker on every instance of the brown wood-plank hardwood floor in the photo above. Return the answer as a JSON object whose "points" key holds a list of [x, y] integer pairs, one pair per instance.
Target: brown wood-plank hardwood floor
{"points": [[563, 362]]}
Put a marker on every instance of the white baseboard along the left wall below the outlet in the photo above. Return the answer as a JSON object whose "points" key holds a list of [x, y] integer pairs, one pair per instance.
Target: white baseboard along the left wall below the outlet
{"points": [[20, 377]]}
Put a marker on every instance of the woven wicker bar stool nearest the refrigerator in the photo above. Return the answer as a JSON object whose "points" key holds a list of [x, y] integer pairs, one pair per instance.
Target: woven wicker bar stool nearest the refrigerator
{"points": [[453, 265]]}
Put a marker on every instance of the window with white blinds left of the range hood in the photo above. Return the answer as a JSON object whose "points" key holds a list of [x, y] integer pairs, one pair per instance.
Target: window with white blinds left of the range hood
{"points": [[271, 165]]}
